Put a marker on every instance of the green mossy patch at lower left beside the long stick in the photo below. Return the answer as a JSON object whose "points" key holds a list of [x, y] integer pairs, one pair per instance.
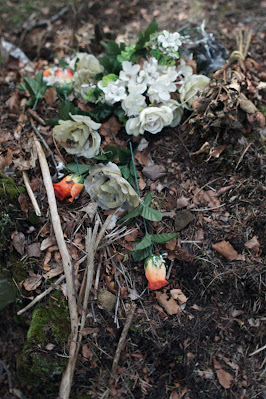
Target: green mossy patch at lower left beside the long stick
{"points": [[49, 324]]}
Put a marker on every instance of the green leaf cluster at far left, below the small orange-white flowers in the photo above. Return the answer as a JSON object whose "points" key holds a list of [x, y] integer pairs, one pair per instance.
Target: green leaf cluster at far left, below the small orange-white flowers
{"points": [[35, 86]]}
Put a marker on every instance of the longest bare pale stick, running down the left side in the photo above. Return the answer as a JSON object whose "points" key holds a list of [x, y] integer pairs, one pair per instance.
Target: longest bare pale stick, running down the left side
{"points": [[66, 381]]}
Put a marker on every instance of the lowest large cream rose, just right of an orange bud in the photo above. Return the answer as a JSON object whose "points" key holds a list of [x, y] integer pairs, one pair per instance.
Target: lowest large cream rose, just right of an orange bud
{"points": [[109, 189]]}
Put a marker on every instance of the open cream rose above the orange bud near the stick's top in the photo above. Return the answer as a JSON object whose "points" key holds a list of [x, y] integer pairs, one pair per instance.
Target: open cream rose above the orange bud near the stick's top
{"points": [[79, 137]]}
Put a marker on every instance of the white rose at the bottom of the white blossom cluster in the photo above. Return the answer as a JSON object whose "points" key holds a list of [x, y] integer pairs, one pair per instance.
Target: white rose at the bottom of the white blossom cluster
{"points": [[150, 119]]}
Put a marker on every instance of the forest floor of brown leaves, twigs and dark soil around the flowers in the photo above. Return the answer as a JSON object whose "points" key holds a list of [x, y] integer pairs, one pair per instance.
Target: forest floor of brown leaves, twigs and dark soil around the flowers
{"points": [[211, 190]]}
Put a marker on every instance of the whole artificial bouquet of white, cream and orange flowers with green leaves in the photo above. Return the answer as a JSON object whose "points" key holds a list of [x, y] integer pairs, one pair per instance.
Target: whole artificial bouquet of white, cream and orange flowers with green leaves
{"points": [[147, 85]]}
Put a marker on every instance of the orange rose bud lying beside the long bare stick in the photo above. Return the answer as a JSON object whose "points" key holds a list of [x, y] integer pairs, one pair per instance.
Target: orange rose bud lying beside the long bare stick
{"points": [[69, 188]]}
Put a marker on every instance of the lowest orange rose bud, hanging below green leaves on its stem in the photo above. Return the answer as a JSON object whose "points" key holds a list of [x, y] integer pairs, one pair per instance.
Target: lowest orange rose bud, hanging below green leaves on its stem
{"points": [[155, 272]]}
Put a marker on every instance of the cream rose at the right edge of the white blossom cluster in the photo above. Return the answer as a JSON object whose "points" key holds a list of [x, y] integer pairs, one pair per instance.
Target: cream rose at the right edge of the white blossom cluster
{"points": [[192, 85]]}
